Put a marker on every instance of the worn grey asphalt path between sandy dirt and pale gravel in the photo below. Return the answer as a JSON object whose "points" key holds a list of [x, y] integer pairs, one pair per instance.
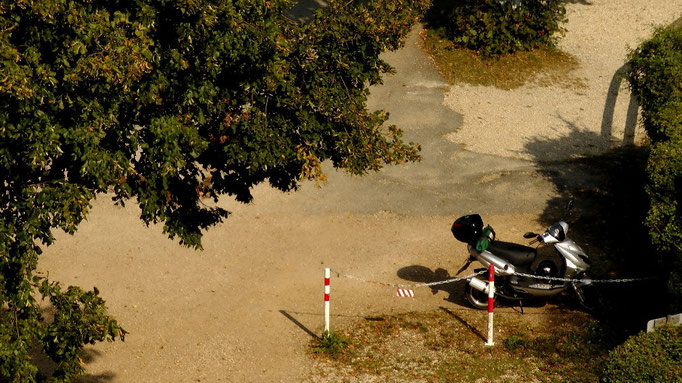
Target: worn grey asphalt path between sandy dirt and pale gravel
{"points": [[448, 180]]}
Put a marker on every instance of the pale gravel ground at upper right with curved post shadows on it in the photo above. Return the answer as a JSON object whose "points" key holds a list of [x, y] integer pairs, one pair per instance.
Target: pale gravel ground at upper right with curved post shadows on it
{"points": [[555, 122]]}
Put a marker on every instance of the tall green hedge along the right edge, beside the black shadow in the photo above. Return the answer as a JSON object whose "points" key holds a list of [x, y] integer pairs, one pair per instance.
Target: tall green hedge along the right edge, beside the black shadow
{"points": [[656, 79]]}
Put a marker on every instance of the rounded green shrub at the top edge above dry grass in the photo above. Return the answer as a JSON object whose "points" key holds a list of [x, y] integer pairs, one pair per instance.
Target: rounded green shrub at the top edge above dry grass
{"points": [[494, 27]]}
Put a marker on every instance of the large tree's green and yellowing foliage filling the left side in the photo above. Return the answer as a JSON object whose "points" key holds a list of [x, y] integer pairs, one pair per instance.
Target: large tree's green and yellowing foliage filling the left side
{"points": [[167, 103]]}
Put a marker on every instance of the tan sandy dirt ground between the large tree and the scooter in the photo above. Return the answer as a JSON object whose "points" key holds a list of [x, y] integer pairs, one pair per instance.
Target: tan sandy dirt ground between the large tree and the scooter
{"points": [[242, 310]]}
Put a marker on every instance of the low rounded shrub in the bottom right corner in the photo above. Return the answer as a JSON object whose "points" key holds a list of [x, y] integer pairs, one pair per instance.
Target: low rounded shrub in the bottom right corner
{"points": [[648, 358]]}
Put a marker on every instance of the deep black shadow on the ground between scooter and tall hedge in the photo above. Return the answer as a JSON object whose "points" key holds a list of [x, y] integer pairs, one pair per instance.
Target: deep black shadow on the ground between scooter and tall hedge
{"points": [[608, 222]]}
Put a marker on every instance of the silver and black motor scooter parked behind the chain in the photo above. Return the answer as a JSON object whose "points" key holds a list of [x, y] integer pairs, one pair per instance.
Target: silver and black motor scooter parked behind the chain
{"points": [[519, 272]]}
